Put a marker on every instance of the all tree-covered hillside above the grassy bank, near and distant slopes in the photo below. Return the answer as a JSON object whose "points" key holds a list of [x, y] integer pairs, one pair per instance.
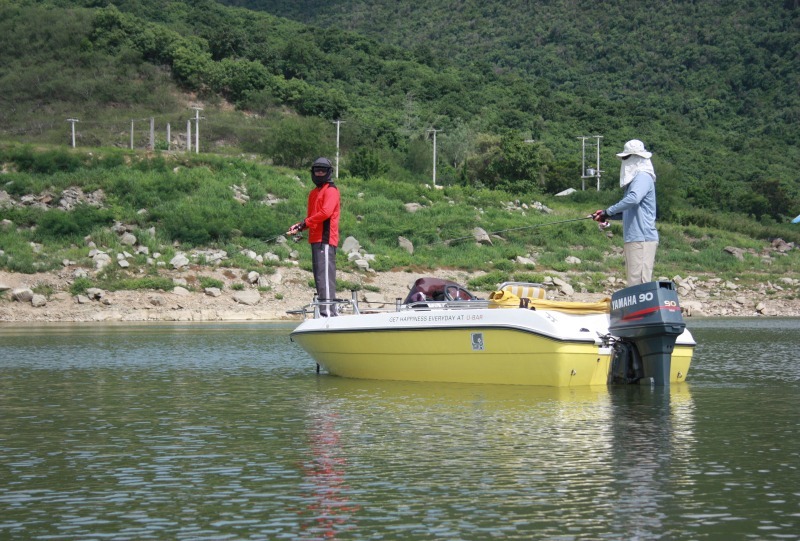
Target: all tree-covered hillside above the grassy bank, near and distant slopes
{"points": [[711, 88]]}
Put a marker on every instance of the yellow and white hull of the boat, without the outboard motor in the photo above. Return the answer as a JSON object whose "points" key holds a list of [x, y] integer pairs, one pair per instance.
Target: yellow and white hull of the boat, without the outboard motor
{"points": [[520, 347]]}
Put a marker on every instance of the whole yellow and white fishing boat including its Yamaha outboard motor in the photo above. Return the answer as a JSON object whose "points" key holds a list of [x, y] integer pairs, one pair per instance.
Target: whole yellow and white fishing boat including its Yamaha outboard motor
{"points": [[441, 332]]}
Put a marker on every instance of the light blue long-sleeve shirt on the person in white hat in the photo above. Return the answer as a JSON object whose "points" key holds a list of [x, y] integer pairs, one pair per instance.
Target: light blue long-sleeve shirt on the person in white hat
{"points": [[637, 208]]}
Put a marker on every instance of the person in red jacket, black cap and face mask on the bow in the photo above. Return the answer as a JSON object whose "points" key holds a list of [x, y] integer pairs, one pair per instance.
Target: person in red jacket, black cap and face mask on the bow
{"points": [[322, 222]]}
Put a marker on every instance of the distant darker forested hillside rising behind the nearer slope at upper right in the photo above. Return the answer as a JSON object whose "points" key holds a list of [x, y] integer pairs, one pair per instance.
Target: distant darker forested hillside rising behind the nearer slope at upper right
{"points": [[711, 86]]}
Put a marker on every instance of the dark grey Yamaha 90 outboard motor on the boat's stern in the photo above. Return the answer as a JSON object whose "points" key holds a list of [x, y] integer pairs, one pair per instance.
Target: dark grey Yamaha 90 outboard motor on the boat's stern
{"points": [[647, 317]]}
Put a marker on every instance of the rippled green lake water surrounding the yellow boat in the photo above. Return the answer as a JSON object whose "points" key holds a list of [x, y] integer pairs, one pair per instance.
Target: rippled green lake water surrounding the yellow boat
{"points": [[225, 431]]}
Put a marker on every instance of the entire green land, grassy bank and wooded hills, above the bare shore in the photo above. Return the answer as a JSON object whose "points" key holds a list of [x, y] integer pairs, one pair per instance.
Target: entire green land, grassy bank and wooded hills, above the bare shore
{"points": [[267, 89]]}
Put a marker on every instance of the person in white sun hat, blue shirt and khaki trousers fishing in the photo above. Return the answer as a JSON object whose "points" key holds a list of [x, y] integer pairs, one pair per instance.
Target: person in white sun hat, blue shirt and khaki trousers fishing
{"points": [[637, 209]]}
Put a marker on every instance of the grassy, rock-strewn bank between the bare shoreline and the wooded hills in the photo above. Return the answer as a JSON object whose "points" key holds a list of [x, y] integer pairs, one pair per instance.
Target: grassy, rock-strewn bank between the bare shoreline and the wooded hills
{"points": [[187, 201]]}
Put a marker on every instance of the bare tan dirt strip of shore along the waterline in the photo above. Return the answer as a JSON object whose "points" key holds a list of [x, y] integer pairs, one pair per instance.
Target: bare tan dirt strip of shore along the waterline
{"points": [[289, 289]]}
